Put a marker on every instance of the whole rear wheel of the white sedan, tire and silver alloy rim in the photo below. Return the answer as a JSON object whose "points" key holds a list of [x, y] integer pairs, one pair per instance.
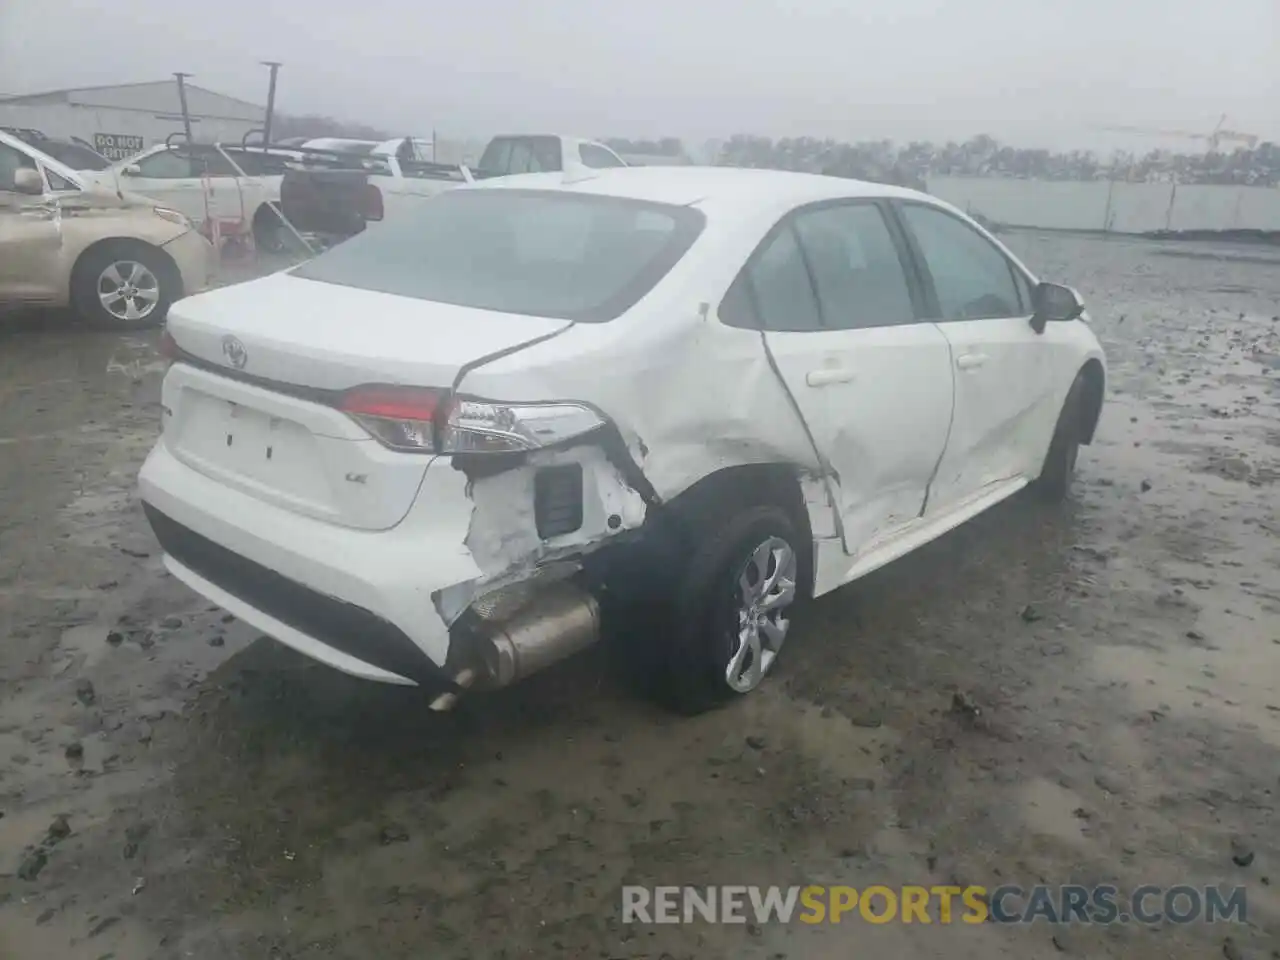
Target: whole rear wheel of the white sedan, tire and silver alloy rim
{"points": [[733, 607]]}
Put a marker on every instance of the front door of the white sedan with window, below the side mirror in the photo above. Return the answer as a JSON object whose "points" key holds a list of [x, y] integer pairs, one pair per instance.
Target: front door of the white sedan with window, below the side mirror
{"points": [[1004, 372]]}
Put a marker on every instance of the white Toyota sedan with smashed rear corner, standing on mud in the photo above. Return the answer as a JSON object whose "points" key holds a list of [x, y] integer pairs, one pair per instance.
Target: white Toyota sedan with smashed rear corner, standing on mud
{"points": [[450, 450]]}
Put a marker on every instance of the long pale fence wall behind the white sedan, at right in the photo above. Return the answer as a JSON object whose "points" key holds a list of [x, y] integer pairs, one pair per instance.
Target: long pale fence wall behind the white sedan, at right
{"points": [[1121, 208]]}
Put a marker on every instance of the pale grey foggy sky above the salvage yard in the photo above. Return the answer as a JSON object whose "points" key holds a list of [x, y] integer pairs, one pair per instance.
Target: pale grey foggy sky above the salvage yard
{"points": [[1034, 74]]}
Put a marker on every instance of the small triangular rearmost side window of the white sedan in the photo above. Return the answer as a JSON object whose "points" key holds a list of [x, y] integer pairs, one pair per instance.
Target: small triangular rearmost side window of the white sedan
{"points": [[774, 294]]}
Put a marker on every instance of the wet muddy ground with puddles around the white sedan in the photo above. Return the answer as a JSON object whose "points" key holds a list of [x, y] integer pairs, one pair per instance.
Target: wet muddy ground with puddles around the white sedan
{"points": [[225, 798]]}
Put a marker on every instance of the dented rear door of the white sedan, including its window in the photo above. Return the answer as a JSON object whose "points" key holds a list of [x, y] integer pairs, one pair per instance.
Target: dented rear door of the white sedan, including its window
{"points": [[830, 287]]}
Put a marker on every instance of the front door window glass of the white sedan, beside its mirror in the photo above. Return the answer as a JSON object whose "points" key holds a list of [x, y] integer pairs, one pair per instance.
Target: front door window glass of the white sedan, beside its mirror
{"points": [[972, 277]]}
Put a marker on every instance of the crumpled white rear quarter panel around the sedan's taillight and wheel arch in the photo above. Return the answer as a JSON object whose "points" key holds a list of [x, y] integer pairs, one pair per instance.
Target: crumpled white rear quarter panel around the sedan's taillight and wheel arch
{"points": [[688, 395]]}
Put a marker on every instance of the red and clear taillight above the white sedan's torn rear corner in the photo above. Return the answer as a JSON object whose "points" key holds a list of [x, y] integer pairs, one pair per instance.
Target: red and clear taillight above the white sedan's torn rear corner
{"points": [[412, 419]]}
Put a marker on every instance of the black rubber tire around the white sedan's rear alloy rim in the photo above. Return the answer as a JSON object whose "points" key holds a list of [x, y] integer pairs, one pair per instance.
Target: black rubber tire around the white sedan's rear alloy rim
{"points": [[703, 629]]}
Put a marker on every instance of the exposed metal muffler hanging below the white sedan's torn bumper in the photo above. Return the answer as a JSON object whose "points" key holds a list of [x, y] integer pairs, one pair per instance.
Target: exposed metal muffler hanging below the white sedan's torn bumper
{"points": [[559, 621]]}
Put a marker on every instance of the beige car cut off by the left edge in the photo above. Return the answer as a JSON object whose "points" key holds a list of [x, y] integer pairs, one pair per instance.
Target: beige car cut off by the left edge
{"points": [[118, 259]]}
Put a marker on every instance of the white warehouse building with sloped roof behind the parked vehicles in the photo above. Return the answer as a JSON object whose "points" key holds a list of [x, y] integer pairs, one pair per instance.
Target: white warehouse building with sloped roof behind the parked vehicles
{"points": [[122, 120]]}
